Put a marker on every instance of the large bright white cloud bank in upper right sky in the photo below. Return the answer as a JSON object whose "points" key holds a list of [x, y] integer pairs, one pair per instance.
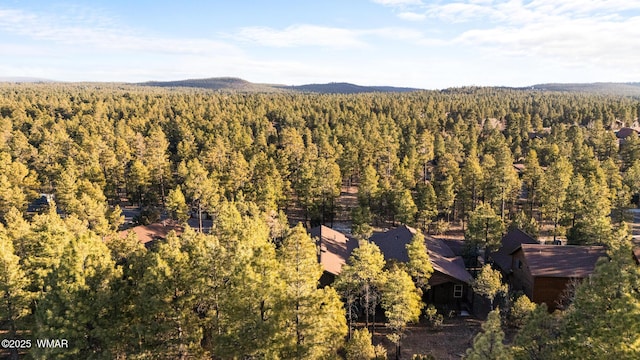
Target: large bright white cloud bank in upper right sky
{"points": [[601, 34]]}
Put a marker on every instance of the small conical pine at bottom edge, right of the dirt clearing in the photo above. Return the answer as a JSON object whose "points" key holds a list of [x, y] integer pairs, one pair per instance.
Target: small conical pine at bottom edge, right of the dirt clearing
{"points": [[488, 344]]}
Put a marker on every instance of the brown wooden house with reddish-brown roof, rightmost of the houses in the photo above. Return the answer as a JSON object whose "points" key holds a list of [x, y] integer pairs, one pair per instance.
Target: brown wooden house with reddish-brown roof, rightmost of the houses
{"points": [[544, 272]]}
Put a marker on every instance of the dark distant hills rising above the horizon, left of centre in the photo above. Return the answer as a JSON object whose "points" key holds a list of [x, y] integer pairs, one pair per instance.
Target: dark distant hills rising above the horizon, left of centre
{"points": [[237, 84]]}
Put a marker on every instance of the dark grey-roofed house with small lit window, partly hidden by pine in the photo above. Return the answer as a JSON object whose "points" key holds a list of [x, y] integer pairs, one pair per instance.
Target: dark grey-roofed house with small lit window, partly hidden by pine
{"points": [[450, 282]]}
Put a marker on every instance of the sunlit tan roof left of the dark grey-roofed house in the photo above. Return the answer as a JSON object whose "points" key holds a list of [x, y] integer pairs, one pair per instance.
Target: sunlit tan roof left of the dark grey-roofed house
{"points": [[335, 248]]}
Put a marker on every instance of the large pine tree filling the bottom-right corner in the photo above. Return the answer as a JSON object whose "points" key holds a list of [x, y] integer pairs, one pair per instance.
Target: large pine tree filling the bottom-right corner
{"points": [[604, 318]]}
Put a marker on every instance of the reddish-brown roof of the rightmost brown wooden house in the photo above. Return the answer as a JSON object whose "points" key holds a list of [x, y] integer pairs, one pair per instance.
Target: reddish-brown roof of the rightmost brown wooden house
{"points": [[563, 261]]}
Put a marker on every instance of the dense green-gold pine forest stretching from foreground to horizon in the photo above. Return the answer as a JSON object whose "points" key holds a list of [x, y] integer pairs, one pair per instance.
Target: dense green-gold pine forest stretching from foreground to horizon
{"points": [[248, 289]]}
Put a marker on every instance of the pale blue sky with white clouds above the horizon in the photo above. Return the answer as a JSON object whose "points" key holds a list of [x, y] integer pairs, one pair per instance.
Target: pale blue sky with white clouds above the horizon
{"points": [[428, 44]]}
